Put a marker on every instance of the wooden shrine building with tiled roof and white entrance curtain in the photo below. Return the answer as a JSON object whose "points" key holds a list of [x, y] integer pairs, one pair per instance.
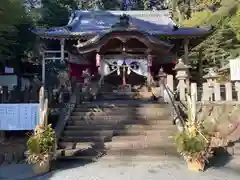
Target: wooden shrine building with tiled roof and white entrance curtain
{"points": [[122, 46]]}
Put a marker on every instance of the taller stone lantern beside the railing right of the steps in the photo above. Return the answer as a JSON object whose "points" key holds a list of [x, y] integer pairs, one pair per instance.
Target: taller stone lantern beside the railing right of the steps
{"points": [[183, 78]]}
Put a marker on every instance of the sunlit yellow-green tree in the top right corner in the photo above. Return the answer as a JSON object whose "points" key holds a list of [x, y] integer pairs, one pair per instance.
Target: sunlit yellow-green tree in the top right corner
{"points": [[223, 43]]}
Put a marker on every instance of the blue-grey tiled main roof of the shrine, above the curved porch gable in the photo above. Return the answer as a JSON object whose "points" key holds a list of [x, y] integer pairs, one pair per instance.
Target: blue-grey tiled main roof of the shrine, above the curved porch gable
{"points": [[101, 22]]}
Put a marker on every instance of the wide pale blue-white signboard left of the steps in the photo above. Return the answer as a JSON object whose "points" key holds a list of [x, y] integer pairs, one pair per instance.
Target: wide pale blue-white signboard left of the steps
{"points": [[18, 116]]}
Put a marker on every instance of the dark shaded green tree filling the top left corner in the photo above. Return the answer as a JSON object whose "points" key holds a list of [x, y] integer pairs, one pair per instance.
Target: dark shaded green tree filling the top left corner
{"points": [[13, 21]]}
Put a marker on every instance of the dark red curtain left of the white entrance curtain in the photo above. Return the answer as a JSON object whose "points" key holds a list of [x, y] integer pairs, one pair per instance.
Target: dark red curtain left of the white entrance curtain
{"points": [[76, 70]]}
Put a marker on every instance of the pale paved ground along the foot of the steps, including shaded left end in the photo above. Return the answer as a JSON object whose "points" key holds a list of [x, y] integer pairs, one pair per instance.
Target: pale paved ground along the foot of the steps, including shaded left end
{"points": [[126, 168]]}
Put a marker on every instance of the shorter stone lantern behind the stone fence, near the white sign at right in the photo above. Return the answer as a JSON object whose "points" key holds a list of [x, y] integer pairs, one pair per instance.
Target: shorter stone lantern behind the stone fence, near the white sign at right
{"points": [[214, 87]]}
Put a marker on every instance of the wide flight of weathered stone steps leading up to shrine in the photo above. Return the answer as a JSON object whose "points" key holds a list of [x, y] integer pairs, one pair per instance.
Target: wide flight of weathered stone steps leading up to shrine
{"points": [[118, 129]]}
